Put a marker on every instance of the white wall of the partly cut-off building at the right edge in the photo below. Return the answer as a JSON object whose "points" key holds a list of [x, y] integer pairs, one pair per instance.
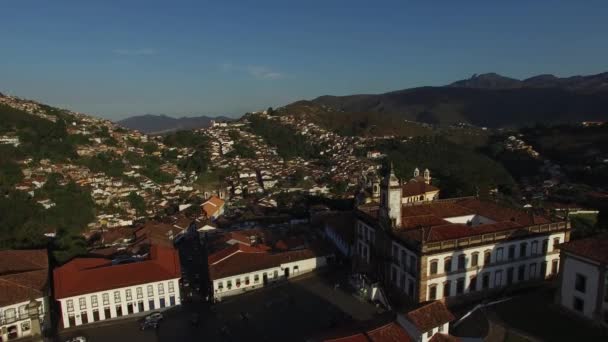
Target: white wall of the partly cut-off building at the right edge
{"points": [[588, 269]]}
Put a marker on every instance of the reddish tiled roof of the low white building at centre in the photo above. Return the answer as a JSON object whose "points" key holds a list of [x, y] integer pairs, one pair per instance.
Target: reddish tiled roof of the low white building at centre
{"points": [[245, 262]]}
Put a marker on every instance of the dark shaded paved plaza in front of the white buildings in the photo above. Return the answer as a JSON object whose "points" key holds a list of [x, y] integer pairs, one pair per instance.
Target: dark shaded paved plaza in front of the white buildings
{"points": [[292, 311]]}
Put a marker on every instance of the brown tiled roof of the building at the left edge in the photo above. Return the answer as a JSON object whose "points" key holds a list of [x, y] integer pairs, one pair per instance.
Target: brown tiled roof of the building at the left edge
{"points": [[23, 275]]}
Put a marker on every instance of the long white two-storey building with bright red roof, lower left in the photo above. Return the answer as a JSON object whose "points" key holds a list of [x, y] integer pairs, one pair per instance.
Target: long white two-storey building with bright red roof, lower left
{"points": [[96, 289]]}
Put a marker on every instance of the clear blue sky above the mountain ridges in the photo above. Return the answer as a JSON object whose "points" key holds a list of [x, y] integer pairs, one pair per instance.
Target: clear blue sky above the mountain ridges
{"points": [[118, 58]]}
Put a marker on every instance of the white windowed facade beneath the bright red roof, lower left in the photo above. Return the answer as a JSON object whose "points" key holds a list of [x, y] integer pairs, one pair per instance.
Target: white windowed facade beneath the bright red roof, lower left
{"points": [[89, 308]]}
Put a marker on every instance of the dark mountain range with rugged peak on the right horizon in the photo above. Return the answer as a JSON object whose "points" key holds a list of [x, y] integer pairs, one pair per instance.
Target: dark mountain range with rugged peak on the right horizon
{"points": [[488, 100]]}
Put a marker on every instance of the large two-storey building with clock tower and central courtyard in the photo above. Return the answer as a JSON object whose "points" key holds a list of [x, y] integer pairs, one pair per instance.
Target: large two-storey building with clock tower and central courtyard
{"points": [[446, 248]]}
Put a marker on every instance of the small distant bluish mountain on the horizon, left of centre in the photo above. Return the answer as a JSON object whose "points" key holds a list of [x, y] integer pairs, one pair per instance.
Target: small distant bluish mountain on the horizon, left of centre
{"points": [[157, 124]]}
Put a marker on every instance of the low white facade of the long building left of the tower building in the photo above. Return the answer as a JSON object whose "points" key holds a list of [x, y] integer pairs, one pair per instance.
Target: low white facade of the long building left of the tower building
{"points": [[295, 268]]}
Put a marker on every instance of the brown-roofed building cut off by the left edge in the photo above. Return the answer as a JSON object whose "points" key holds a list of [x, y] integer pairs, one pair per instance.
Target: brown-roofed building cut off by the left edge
{"points": [[23, 293]]}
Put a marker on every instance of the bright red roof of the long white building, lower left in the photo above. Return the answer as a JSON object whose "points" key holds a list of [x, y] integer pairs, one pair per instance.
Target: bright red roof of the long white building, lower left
{"points": [[86, 275]]}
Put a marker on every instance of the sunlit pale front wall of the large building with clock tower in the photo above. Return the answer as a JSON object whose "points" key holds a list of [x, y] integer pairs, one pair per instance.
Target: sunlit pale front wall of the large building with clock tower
{"points": [[496, 264]]}
